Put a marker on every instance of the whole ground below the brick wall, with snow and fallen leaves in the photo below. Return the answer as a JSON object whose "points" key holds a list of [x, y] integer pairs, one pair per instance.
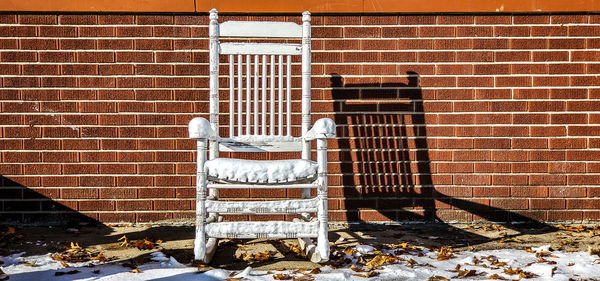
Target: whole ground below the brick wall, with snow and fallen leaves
{"points": [[447, 245]]}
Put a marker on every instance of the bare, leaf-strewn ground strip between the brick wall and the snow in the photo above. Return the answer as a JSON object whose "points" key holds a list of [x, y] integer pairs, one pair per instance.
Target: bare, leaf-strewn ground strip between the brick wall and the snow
{"points": [[177, 241]]}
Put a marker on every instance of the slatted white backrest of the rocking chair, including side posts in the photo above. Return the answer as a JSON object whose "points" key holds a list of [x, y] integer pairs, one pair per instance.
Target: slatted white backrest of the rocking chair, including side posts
{"points": [[259, 77]]}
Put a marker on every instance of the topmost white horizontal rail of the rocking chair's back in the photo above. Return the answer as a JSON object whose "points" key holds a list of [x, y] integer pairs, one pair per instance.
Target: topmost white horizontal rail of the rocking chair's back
{"points": [[260, 29]]}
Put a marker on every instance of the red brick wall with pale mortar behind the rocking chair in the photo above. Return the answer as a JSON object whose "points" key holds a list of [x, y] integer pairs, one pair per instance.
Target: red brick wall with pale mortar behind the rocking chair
{"points": [[454, 117]]}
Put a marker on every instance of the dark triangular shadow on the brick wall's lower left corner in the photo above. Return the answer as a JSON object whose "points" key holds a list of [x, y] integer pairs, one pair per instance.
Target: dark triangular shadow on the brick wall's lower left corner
{"points": [[21, 205]]}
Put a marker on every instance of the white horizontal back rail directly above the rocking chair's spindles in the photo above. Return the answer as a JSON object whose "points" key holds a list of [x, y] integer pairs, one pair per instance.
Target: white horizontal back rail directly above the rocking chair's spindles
{"points": [[260, 48]]}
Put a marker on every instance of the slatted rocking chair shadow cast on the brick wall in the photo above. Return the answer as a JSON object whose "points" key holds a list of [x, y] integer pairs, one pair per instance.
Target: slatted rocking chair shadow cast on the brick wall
{"points": [[385, 157]]}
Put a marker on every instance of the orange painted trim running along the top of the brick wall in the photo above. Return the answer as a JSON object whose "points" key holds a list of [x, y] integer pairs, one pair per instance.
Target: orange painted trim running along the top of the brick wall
{"points": [[315, 6]]}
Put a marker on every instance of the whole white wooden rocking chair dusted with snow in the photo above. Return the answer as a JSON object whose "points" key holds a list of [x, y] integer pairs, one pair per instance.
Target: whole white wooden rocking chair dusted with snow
{"points": [[260, 128]]}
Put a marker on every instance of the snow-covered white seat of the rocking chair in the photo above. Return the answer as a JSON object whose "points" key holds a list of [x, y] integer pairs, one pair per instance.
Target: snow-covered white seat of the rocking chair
{"points": [[261, 171]]}
